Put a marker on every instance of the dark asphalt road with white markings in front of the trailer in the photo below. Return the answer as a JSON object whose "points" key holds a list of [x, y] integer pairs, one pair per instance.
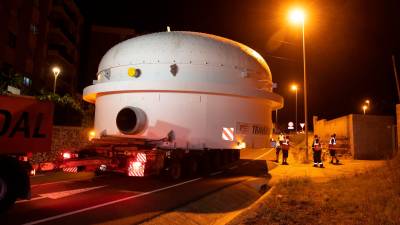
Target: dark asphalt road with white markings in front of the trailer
{"points": [[116, 199]]}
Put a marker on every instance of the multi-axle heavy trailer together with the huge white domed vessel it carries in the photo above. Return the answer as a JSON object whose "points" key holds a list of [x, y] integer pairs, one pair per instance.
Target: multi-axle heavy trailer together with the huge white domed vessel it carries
{"points": [[176, 103]]}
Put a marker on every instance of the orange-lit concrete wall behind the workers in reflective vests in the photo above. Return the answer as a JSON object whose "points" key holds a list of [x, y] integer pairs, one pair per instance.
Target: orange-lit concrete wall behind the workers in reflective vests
{"points": [[368, 136]]}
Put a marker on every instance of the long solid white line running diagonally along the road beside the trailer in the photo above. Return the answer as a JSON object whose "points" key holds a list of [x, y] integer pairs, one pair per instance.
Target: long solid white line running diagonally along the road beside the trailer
{"points": [[110, 203]]}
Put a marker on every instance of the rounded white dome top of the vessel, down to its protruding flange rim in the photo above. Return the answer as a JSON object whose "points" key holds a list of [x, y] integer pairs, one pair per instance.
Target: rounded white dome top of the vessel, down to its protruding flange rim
{"points": [[183, 61]]}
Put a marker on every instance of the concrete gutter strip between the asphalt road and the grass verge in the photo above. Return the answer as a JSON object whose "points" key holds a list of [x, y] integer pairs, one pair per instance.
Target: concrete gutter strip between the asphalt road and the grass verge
{"points": [[218, 208]]}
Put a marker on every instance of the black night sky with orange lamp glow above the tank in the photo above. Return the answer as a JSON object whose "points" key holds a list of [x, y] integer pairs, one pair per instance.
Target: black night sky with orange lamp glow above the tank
{"points": [[349, 44]]}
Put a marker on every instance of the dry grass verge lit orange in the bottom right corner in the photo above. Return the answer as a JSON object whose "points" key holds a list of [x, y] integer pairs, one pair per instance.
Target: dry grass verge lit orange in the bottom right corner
{"points": [[371, 197]]}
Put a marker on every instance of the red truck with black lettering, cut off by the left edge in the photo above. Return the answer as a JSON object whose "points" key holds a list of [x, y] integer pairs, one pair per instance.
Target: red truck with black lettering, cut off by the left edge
{"points": [[25, 128]]}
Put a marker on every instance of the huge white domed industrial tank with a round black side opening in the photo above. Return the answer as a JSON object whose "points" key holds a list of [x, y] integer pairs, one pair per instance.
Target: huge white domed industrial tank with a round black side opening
{"points": [[210, 91]]}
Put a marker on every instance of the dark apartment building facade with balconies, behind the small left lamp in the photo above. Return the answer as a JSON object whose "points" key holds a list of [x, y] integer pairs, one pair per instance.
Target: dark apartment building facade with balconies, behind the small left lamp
{"points": [[36, 35]]}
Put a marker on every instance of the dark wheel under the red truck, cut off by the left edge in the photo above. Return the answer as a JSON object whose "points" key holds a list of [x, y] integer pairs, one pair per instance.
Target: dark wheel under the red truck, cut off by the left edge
{"points": [[7, 192]]}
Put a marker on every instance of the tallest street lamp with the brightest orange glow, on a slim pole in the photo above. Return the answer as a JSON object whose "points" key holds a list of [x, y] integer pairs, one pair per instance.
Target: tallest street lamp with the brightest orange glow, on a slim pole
{"points": [[297, 16]]}
